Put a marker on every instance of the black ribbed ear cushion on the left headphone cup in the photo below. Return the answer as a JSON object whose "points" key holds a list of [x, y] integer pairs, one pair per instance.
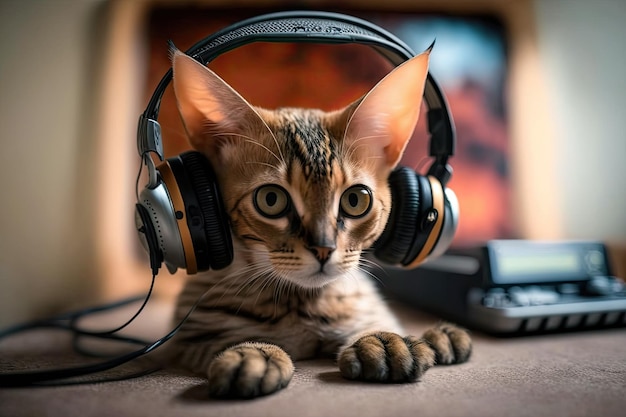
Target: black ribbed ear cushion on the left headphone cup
{"points": [[213, 217]]}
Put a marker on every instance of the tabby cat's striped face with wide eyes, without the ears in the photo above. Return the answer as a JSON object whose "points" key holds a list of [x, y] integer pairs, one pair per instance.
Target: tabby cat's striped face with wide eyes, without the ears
{"points": [[300, 200]]}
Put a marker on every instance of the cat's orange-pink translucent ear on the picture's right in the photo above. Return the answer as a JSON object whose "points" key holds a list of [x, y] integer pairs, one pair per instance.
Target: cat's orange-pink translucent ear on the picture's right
{"points": [[384, 119]]}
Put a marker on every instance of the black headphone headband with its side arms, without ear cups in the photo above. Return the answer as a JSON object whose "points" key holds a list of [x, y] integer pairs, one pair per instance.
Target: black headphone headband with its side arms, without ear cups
{"points": [[314, 27]]}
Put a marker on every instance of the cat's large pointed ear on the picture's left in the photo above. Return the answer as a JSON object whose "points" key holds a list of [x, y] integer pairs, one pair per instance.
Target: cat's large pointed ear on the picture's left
{"points": [[209, 107]]}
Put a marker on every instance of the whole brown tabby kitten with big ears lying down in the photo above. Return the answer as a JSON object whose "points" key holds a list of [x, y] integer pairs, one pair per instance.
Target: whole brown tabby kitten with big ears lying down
{"points": [[306, 193]]}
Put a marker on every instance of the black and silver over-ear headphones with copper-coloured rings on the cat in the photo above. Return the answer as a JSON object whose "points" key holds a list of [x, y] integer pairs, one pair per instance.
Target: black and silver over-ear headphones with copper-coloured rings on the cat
{"points": [[179, 214]]}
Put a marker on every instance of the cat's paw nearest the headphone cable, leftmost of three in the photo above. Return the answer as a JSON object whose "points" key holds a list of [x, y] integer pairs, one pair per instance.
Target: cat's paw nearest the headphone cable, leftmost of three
{"points": [[249, 370]]}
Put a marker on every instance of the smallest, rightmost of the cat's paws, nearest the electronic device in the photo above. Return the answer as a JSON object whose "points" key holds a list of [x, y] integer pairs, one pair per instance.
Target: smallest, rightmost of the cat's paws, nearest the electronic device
{"points": [[450, 343]]}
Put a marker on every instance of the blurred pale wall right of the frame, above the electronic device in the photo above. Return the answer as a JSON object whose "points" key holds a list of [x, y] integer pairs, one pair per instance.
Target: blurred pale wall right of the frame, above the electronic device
{"points": [[584, 58]]}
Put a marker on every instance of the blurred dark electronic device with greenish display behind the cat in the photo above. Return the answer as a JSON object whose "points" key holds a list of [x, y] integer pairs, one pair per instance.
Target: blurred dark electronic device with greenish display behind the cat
{"points": [[515, 287]]}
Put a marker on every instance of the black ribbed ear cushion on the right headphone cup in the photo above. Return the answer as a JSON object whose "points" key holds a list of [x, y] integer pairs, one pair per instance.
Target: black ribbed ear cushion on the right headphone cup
{"points": [[399, 234]]}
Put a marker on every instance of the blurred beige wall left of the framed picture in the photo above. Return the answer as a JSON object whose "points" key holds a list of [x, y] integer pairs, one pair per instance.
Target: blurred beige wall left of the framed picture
{"points": [[46, 259]]}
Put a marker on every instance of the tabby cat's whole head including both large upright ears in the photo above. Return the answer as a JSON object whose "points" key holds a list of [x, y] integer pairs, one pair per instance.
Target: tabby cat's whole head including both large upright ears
{"points": [[306, 191]]}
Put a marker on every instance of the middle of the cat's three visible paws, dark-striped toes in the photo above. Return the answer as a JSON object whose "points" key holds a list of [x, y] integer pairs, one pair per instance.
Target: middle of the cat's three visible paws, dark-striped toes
{"points": [[386, 357]]}
